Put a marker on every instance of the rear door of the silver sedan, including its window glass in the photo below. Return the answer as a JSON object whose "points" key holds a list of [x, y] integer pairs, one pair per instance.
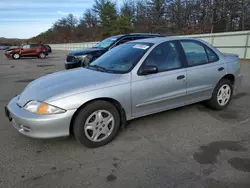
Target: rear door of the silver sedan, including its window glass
{"points": [[204, 70]]}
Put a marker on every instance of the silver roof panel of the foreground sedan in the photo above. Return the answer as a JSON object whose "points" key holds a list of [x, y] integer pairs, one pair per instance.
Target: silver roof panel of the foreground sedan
{"points": [[159, 40]]}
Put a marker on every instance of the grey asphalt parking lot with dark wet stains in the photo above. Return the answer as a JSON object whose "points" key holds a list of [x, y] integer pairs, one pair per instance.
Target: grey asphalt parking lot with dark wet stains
{"points": [[187, 147]]}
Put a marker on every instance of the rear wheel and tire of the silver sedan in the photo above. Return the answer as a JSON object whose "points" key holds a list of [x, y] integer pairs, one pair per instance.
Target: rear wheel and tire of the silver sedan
{"points": [[222, 95]]}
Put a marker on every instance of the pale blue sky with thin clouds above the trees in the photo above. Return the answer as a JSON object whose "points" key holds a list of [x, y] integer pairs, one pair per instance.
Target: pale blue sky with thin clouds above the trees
{"points": [[28, 18]]}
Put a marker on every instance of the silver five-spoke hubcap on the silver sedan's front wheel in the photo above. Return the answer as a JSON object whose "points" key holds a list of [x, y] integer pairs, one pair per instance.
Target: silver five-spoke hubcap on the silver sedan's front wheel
{"points": [[99, 125]]}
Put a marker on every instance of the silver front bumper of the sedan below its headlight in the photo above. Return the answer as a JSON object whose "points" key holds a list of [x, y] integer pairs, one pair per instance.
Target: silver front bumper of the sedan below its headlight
{"points": [[38, 126]]}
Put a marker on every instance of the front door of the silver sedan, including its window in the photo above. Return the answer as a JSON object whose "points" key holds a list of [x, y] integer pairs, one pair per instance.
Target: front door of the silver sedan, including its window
{"points": [[164, 90]]}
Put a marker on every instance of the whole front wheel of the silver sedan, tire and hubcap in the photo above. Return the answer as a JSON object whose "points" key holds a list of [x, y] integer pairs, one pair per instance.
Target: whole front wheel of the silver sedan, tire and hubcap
{"points": [[96, 124]]}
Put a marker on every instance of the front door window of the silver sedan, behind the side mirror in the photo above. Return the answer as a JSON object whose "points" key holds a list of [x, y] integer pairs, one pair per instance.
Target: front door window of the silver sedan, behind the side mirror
{"points": [[165, 57]]}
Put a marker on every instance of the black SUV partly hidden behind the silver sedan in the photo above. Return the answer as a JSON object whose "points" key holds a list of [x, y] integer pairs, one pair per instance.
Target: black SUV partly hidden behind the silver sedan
{"points": [[80, 58]]}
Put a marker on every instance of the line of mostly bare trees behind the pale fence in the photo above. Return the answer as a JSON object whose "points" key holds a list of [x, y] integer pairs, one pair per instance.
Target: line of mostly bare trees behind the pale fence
{"points": [[167, 17]]}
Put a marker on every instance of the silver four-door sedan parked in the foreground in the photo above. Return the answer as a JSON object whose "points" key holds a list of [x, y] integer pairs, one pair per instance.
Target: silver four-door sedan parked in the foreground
{"points": [[132, 80]]}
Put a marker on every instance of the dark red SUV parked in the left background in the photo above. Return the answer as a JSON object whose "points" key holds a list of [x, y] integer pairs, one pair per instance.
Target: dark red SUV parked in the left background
{"points": [[27, 50]]}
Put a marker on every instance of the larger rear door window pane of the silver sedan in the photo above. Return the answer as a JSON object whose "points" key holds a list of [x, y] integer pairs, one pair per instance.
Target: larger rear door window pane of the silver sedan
{"points": [[195, 53]]}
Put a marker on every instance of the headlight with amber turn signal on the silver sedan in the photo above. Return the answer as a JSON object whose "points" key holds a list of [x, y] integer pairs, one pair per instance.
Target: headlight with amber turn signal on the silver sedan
{"points": [[42, 108]]}
